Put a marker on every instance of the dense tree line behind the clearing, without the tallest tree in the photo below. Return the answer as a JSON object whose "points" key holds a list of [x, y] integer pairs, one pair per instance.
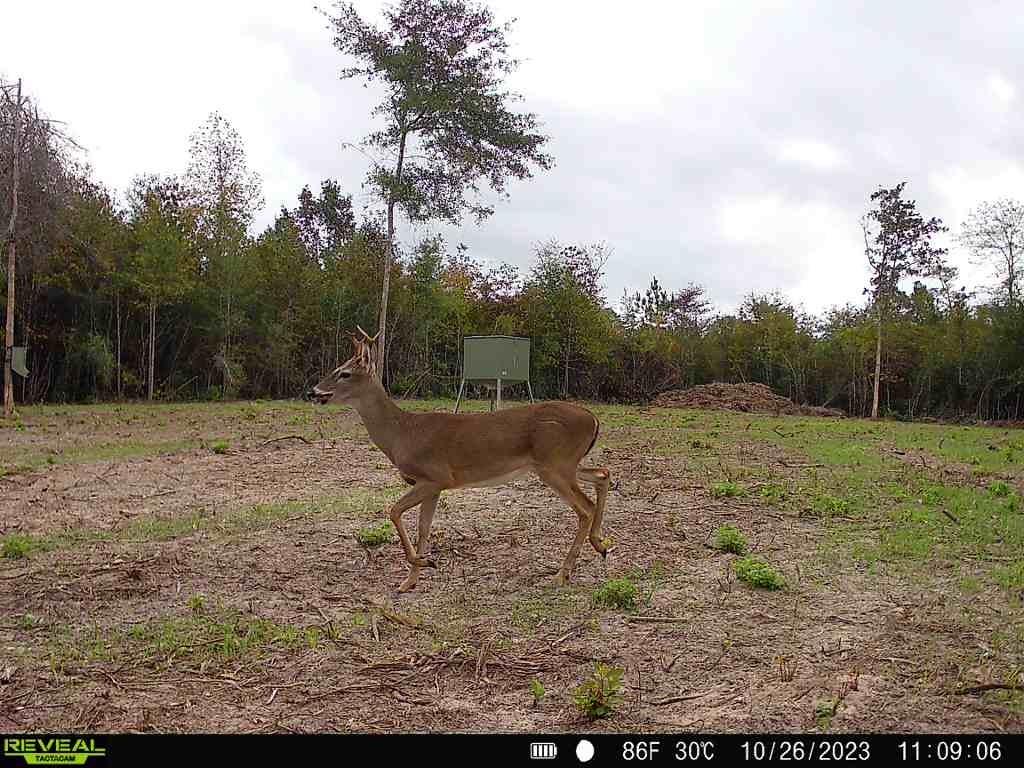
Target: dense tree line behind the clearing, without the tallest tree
{"points": [[168, 295]]}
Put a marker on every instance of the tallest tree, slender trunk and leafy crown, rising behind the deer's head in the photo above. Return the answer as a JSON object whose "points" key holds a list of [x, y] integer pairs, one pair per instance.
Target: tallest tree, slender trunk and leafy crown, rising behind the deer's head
{"points": [[448, 124]]}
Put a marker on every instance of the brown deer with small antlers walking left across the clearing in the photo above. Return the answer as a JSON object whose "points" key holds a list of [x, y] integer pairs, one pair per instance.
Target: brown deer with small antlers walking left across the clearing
{"points": [[439, 452]]}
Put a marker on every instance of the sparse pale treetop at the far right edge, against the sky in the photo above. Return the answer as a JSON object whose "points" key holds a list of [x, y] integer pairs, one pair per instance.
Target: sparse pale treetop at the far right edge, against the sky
{"points": [[995, 235]]}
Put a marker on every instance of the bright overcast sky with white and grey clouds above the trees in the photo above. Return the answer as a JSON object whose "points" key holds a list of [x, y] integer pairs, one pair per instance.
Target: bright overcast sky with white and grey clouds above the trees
{"points": [[730, 144]]}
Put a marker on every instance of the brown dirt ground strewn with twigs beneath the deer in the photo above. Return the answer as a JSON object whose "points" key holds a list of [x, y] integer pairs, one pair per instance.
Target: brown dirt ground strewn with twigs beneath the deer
{"points": [[264, 613]]}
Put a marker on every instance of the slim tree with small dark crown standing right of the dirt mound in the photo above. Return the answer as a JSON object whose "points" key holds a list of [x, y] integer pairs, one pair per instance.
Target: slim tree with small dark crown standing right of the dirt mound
{"points": [[899, 245]]}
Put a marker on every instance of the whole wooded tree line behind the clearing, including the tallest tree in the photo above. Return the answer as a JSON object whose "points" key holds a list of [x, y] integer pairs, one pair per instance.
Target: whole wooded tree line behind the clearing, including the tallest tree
{"points": [[166, 291]]}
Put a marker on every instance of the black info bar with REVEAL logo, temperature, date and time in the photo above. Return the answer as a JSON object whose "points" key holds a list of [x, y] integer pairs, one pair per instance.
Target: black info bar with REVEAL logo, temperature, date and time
{"points": [[562, 749]]}
